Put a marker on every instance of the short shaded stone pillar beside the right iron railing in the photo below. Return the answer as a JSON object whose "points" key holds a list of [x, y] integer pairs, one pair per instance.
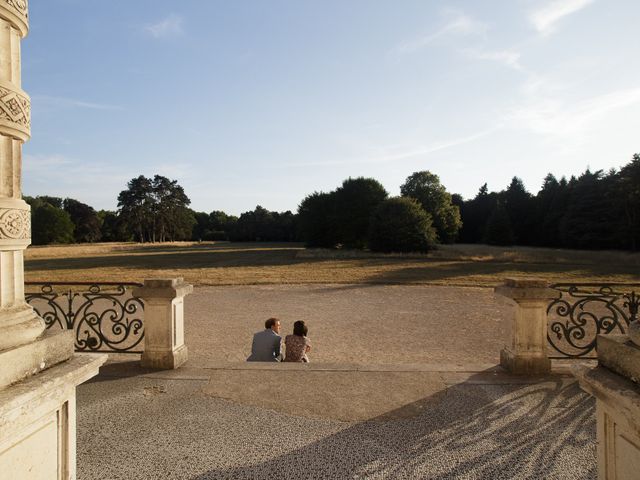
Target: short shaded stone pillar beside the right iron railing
{"points": [[527, 354]]}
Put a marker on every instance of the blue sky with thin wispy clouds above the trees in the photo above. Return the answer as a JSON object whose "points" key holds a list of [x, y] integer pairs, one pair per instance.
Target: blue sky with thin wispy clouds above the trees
{"points": [[256, 102]]}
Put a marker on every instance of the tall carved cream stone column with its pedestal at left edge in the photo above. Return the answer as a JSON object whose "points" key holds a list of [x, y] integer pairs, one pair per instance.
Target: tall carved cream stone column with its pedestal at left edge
{"points": [[38, 371]]}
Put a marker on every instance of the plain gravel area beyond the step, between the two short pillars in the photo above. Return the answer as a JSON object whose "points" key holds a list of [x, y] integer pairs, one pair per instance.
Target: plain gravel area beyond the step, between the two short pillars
{"points": [[357, 324]]}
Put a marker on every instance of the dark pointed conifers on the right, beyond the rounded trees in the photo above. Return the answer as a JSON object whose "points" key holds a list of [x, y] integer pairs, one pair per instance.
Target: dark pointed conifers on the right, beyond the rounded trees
{"points": [[595, 210]]}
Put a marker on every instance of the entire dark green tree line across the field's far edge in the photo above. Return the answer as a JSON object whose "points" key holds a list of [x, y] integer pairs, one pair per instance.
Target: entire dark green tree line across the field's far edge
{"points": [[594, 210]]}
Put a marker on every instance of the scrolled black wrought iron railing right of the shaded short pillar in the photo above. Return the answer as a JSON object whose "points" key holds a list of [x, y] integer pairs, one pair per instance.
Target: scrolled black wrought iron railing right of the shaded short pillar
{"points": [[584, 310]]}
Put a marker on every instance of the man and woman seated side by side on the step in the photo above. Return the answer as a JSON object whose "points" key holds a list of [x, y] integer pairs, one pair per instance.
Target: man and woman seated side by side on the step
{"points": [[267, 344]]}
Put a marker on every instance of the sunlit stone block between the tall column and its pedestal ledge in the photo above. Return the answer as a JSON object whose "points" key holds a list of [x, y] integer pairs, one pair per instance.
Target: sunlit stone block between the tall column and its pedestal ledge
{"points": [[53, 347]]}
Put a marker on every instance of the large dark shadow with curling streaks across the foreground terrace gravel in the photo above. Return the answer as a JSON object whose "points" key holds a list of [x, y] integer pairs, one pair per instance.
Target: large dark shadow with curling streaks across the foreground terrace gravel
{"points": [[470, 430]]}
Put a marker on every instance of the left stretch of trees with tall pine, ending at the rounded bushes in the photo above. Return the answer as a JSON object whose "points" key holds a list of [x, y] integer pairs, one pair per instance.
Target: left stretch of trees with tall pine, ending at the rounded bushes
{"points": [[151, 210]]}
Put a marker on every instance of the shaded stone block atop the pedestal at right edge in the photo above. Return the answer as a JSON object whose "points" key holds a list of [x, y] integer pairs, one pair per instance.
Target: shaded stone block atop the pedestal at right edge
{"points": [[619, 354]]}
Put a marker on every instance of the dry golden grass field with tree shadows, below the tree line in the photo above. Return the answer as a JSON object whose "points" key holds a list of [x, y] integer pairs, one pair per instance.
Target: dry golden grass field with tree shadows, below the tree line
{"points": [[223, 263]]}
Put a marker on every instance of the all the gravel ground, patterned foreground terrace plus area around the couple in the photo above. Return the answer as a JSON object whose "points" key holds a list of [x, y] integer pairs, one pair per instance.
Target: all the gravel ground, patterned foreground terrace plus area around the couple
{"points": [[418, 413]]}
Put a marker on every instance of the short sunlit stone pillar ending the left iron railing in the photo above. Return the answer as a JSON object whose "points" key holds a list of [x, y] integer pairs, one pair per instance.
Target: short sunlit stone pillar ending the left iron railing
{"points": [[164, 346]]}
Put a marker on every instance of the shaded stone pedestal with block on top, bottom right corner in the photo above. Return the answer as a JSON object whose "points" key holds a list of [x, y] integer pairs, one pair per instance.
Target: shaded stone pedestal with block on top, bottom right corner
{"points": [[617, 407]]}
